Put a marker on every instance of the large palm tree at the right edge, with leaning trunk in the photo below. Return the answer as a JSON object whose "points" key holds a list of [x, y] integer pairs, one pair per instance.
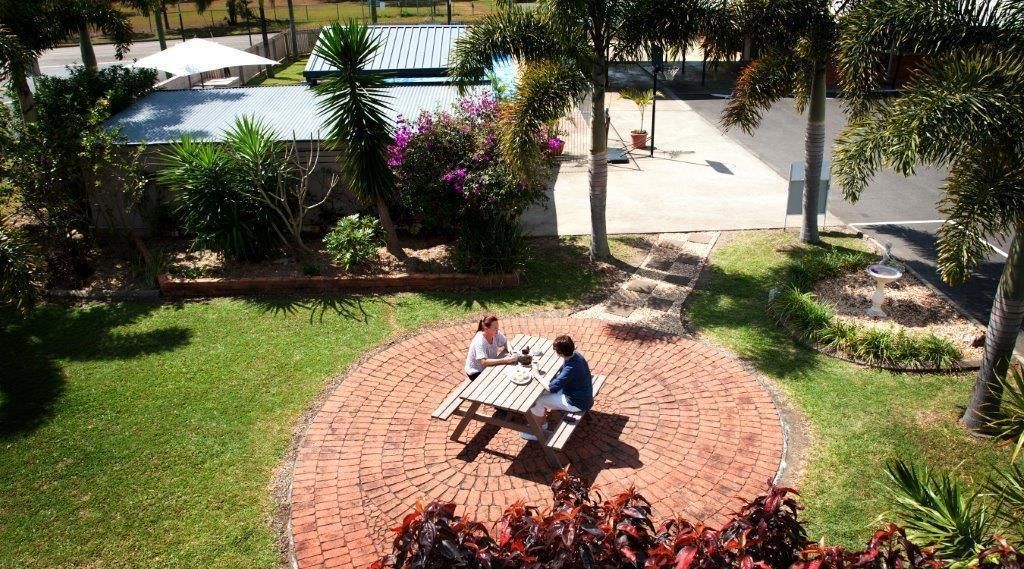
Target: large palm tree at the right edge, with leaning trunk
{"points": [[963, 111]]}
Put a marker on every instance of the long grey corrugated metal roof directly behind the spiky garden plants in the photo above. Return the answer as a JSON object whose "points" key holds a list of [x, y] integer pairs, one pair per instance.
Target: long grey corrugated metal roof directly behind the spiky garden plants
{"points": [[164, 116]]}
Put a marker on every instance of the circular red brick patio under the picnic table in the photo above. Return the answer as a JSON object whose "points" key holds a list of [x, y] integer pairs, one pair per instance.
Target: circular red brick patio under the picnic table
{"points": [[685, 422]]}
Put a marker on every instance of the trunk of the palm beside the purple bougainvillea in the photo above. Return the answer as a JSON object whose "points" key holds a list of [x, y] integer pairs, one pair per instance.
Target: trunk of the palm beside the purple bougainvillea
{"points": [[599, 167]]}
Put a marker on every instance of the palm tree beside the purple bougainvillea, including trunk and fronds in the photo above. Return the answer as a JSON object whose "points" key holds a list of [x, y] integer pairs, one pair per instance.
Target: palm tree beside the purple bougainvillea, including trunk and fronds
{"points": [[565, 48]]}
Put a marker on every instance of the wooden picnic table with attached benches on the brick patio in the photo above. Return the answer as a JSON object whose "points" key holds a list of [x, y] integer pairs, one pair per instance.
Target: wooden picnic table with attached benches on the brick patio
{"points": [[494, 388]]}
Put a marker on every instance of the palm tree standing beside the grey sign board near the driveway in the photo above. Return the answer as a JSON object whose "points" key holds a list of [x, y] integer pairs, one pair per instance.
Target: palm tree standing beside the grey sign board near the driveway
{"points": [[796, 40]]}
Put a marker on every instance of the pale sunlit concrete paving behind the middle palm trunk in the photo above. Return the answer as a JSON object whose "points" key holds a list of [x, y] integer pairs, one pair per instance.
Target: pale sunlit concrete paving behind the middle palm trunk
{"points": [[699, 180]]}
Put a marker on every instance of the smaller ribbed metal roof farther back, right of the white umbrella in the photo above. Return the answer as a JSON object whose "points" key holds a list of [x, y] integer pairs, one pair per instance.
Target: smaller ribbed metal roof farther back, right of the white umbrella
{"points": [[405, 52]]}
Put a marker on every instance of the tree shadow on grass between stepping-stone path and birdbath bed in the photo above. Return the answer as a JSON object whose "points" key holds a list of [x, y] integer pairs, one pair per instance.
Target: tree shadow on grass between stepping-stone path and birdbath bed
{"points": [[737, 303]]}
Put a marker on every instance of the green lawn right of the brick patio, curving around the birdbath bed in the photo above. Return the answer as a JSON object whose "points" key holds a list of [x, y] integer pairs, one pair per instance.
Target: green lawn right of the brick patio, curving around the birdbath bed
{"points": [[861, 418]]}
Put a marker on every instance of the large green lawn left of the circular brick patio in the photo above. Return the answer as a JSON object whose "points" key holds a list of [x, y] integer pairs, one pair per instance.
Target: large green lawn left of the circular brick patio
{"points": [[146, 435]]}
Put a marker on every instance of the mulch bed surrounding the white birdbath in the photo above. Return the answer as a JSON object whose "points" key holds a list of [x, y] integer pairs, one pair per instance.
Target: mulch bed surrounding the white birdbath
{"points": [[909, 303]]}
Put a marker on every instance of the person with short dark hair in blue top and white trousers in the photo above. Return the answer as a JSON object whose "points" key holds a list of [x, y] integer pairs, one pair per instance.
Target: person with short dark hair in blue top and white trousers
{"points": [[573, 388]]}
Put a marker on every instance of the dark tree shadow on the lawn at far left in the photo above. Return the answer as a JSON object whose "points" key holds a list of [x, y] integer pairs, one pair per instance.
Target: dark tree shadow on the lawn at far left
{"points": [[31, 349]]}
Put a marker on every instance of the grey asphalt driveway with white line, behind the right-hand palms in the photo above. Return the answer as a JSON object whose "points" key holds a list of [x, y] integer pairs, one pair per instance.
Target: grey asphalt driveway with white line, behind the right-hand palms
{"points": [[893, 208]]}
